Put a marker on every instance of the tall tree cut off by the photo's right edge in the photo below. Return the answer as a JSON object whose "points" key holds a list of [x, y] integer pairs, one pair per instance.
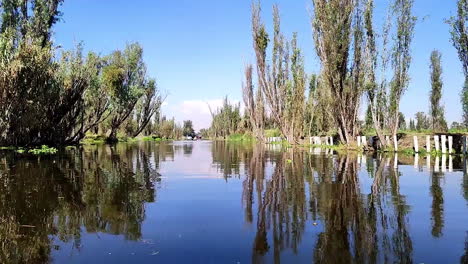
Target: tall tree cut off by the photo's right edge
{"points": [[459, 37]]}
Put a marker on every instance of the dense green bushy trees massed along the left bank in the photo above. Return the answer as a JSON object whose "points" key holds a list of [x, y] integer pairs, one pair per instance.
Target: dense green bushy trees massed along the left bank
{"points": [[52, 99]]}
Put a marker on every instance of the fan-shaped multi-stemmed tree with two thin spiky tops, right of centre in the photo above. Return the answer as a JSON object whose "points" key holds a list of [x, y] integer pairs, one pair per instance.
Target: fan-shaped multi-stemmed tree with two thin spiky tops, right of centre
{"points": [[283, 80]]}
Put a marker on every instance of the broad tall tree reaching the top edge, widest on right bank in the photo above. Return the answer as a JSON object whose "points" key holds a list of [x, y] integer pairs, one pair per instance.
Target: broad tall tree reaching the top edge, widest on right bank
{"points": [[337, 29]]}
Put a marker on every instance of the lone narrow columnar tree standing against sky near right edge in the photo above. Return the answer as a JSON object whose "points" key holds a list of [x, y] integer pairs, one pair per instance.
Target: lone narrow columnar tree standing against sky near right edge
{"points": [[436, 110]]}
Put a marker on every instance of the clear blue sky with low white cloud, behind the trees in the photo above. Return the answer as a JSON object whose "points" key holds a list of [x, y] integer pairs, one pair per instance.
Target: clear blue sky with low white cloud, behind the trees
{"points": [[197, 49]]}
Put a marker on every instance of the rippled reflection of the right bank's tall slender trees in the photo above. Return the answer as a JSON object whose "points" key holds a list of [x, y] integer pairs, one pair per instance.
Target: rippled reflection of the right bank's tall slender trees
{"points": [[357, 228]]}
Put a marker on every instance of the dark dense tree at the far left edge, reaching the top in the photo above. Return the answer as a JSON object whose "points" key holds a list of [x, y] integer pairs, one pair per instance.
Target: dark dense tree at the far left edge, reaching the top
{"points": [[40, 95]]}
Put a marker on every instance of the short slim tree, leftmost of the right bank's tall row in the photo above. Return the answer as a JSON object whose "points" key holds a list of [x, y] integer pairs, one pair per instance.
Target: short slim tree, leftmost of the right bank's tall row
{"points": [[254, 104]]}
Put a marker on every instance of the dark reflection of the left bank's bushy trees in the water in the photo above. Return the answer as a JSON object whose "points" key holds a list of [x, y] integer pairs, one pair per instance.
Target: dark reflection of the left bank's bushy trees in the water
{"points": [[102, 189]]}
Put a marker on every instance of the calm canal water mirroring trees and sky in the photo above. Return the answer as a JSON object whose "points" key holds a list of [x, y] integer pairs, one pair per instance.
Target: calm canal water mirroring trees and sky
{"points": [[204, 202]]}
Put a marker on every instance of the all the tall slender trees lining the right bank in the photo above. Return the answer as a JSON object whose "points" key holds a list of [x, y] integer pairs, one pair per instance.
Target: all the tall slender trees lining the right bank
{"points": [[358, 60]]}
